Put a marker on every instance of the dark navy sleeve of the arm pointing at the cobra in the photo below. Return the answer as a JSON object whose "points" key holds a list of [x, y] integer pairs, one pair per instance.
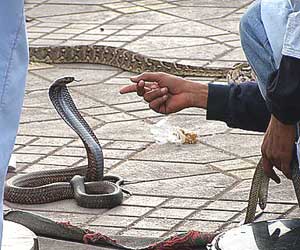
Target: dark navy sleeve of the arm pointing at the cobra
{"points": [[239, 106]]}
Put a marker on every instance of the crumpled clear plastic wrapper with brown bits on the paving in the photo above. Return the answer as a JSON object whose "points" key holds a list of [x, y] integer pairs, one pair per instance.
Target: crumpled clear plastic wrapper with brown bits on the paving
{"points": [[163, 132]]}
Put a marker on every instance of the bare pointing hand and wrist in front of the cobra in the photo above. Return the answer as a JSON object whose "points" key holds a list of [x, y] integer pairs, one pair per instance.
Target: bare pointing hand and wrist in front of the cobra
{"points": [[167, 93]]}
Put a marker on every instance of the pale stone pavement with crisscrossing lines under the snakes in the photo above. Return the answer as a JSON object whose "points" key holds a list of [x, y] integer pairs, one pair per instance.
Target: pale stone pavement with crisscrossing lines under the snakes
{"points": [[175, 188]]}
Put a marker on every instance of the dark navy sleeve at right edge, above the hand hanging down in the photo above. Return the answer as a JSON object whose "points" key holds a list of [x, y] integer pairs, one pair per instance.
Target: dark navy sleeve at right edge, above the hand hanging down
{"points": [[283, 91]]}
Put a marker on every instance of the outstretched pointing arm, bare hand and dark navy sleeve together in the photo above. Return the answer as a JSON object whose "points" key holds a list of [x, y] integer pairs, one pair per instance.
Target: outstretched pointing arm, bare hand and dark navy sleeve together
{"points": [[240, 106]]}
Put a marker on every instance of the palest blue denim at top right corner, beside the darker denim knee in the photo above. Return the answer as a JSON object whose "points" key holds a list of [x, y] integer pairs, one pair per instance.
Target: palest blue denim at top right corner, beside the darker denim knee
{"points": [[281, 19]]}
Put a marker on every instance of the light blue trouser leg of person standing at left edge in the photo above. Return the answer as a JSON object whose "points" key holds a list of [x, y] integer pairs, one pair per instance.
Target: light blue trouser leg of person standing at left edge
{"points": [[13, 70]]}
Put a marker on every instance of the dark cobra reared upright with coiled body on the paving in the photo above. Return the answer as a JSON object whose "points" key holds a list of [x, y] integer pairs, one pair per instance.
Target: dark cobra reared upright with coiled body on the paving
{"points": [[86, 184]]}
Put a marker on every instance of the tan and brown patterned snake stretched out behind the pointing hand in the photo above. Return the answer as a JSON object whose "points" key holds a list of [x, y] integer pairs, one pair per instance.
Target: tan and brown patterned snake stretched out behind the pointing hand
{"points": [[133, 62]]}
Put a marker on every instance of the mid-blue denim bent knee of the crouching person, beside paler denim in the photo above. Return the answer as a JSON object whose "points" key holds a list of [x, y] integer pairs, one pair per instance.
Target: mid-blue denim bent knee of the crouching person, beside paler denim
{"points": [[256, 45]]}
